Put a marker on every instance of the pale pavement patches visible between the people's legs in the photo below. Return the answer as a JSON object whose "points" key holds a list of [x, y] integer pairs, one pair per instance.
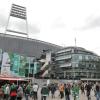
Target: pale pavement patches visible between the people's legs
{"points": [[81, 96]]}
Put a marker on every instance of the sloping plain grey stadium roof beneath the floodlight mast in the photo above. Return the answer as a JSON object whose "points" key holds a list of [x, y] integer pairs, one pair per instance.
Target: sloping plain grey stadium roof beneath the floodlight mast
{"points": [[25, 46]]}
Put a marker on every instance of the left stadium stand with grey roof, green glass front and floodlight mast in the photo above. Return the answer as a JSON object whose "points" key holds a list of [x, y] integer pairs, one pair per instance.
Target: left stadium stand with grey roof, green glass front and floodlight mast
{"points": [[17, 51]]}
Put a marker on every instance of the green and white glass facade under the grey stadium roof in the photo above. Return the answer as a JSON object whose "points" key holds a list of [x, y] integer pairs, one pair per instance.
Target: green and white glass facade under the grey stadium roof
{"points": [[16, 65]]}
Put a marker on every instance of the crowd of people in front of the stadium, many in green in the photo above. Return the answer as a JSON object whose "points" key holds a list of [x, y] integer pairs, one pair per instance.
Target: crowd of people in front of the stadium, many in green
{"points": [[29, 90]]}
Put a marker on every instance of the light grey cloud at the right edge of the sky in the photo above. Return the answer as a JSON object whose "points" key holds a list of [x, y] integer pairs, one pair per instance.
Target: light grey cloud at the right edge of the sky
{"points": [[91, 22]]}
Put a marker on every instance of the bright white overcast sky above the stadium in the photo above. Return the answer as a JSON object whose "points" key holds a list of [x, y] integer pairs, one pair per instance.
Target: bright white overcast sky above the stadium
{"points": [[59, 21]]}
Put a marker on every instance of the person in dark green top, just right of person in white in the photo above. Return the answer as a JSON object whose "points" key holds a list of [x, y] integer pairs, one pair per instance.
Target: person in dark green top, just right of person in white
{"points": [[44, 92]]}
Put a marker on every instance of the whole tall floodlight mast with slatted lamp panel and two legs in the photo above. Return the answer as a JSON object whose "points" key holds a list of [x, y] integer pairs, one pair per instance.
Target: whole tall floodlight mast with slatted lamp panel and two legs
{"points": [[17, 12]]}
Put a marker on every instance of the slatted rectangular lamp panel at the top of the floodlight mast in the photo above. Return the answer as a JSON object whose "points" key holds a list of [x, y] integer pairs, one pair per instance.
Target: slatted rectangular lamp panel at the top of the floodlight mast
{"points": [[18, 11]]}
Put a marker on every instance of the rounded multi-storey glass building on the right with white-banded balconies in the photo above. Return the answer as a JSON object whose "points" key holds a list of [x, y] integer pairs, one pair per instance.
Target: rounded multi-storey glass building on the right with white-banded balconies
{"points": [[81, 63]]}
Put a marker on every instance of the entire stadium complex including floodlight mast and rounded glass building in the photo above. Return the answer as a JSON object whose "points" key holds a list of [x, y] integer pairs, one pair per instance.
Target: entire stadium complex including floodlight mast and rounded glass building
{"points": [[23, 56]]}
